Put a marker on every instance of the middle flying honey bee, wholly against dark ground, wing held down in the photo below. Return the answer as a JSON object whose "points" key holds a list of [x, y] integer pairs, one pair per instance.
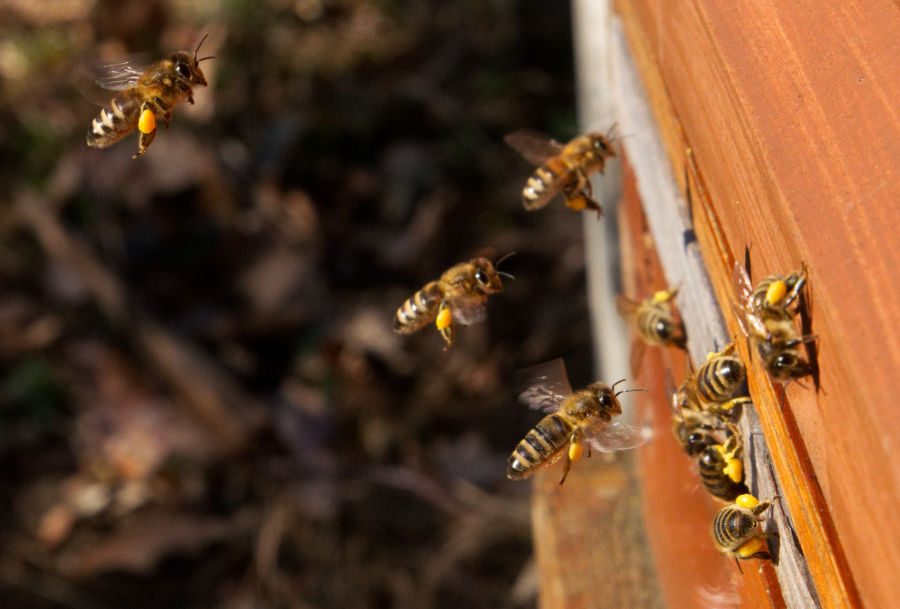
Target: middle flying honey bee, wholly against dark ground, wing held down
{"points": [[460, 294]]}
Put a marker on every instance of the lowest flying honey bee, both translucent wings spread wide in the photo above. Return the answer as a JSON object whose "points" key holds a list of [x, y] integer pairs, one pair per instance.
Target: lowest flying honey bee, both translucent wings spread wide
{"points": [[573, 419]]}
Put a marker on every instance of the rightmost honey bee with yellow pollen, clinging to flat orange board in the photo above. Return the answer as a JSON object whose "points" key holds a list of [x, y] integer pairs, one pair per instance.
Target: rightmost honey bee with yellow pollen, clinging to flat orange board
{"points": [[764, 318]]}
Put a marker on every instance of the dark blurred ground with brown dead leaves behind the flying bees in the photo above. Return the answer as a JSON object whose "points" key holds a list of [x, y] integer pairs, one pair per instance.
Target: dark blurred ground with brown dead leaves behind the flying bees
{"points": [[202, 403]]}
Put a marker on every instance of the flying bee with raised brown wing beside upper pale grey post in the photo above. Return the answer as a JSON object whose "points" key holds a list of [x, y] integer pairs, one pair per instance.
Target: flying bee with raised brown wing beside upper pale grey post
{"points": [[561, 168]]}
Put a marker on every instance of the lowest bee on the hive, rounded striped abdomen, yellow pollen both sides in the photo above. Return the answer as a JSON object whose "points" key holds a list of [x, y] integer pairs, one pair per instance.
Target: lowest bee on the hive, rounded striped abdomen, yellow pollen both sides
{"points": [[735, 528]]}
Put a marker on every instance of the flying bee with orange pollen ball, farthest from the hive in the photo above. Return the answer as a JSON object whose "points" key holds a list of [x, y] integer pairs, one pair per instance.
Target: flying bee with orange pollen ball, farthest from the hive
{"points": [[145, 97]]}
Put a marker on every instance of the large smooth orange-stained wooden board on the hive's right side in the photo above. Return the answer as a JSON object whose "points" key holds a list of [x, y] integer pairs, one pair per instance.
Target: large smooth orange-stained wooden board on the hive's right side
{"points": [[791, 111]]}
